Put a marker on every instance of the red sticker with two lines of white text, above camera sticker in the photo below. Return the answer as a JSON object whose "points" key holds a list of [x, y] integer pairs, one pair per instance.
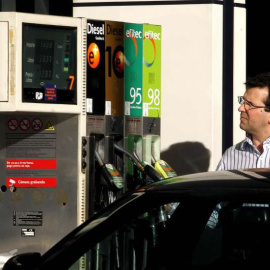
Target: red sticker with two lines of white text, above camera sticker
{"points": [[19, 164]]}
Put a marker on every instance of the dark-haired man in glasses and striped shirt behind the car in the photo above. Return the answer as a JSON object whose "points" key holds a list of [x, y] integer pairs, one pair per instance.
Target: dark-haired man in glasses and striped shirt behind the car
{"points": [[254, 150]]}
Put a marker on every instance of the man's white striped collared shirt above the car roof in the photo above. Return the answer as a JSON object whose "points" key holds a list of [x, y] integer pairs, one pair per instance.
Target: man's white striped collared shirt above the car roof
{"points": [[245, 156]]}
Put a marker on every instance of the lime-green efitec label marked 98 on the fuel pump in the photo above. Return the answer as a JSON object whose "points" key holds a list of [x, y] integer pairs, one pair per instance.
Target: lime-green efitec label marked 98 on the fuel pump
{"points": [[152, 70]]}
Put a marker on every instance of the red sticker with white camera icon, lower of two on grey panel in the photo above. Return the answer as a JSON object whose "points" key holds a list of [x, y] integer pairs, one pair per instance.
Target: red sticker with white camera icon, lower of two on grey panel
{"points": [[31, 181]]}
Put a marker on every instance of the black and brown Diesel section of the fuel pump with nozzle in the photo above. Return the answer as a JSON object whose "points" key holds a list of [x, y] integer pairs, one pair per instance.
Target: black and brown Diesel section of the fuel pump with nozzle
{"points": [[105, 72]]}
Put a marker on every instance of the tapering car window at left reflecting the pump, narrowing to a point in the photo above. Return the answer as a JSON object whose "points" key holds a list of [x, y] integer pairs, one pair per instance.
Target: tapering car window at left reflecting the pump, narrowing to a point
{"points": [[130, 246]]}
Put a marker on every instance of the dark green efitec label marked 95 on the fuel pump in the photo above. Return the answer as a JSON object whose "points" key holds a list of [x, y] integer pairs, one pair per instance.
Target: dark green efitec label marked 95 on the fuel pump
{"points": [[133, 69]]}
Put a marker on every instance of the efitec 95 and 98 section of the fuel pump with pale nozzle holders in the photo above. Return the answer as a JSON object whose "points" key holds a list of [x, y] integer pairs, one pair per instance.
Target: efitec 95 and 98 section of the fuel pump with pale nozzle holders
{"points": [[142, 94]]}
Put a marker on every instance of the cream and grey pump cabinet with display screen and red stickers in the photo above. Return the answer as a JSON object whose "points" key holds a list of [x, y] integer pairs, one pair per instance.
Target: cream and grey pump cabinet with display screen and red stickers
{"points": [[42, 118]]}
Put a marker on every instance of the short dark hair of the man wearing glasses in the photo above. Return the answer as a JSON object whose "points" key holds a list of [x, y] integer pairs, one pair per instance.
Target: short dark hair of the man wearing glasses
{"points": [[261, 81]]}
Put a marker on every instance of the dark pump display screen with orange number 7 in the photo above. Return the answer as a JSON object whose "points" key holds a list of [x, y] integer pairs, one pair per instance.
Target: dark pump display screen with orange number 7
{"points": [[49, 64]]}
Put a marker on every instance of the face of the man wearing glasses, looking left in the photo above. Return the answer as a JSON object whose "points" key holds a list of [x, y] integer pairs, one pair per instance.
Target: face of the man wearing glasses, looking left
{"points": [[254, 120]]}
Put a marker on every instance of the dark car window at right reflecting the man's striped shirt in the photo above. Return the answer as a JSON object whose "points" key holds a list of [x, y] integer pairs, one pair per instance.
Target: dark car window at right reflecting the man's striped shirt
{"points": [[236, 234]]}
